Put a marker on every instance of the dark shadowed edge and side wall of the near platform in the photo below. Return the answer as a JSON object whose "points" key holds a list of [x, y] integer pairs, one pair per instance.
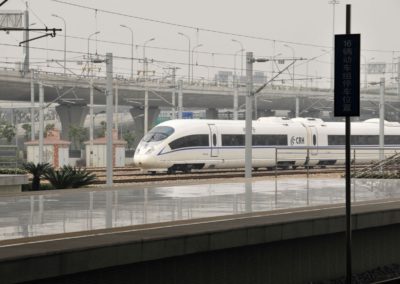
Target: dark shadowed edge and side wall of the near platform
{"points": [[300, 245]]}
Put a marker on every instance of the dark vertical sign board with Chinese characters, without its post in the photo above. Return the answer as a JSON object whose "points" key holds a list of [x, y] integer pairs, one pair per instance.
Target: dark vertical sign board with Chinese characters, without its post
{"points": [[347, 75]]}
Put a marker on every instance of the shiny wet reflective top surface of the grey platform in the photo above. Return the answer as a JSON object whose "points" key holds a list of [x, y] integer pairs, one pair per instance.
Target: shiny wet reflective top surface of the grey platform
{"points": [[56, 212]]}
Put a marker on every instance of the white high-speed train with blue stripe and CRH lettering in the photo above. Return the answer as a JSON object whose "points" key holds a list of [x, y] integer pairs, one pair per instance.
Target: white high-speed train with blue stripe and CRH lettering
{"points": [[183, 145]]}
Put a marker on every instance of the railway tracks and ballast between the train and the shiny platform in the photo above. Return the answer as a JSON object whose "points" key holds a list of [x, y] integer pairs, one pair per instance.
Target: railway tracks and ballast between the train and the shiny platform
{"points": [[133, 175]]}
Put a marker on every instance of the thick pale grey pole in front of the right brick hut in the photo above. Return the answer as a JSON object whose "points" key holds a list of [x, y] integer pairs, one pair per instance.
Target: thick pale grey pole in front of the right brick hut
{"points": [[109, 111]]}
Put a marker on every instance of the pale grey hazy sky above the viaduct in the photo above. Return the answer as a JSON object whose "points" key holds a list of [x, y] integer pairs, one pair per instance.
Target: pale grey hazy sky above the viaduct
{"points": [[285, 29]]}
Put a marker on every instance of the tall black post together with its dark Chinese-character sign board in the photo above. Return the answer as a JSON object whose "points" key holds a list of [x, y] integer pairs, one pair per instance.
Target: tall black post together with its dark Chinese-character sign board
{"points": [[347, 103]]}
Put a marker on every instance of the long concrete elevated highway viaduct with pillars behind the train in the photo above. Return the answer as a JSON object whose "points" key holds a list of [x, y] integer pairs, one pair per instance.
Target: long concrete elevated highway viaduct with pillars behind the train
{"points": [[71, 94]]}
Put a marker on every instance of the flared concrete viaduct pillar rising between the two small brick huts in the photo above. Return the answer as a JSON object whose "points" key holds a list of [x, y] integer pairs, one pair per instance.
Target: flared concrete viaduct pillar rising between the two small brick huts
{"points": [[71, 115]]}
